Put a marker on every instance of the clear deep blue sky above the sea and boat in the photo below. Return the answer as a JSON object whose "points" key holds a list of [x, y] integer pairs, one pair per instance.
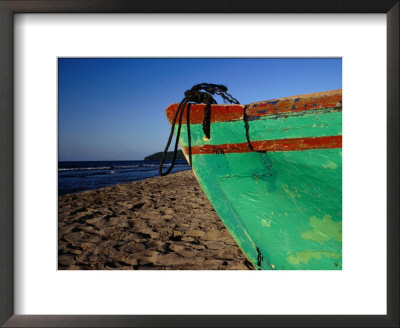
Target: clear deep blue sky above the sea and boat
{"points": [[113, 108]]}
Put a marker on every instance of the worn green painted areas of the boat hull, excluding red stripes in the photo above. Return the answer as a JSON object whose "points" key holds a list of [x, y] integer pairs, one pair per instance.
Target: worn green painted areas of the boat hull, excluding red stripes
{"points": [[283, 208]]}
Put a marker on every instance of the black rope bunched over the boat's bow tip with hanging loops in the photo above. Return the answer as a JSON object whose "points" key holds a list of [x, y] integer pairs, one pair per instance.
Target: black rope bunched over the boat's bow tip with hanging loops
{"points": [[197, 96]]}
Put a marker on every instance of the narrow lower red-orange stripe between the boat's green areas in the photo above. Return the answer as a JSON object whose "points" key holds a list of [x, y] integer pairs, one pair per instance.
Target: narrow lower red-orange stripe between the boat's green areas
{"points": [[270, 145]]}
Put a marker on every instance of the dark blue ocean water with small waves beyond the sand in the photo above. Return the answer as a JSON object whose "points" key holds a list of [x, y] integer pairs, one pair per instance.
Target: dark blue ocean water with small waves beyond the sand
{"points": [[80, 176]]}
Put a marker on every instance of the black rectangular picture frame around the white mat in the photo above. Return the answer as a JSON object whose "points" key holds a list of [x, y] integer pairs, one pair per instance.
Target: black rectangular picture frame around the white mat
{"points": [[10, 7]]}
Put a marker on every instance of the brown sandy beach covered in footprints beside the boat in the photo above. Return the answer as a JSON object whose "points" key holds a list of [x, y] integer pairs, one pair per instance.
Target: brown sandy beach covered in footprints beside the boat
{"points": [[161, 223]]}
